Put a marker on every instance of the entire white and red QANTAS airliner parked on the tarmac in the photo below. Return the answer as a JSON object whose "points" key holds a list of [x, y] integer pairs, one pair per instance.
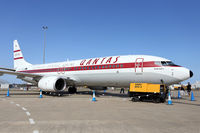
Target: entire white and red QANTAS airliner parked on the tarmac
{"points": [[97, 73]]}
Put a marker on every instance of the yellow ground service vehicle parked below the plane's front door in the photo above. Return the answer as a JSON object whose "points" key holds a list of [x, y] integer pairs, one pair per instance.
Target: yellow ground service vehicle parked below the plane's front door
{"points": [[146, 91]]}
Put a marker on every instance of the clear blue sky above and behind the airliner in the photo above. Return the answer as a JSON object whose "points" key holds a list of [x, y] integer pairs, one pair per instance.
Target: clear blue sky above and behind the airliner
{"points": [[91, 28]]}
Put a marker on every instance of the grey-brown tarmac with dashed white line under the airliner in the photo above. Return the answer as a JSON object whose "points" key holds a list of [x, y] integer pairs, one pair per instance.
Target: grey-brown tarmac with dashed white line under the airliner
{"points": [[25, 112]]}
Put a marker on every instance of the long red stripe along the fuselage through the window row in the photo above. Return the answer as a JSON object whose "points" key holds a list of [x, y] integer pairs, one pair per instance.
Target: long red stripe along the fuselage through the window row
{"points": [[96, 67]]}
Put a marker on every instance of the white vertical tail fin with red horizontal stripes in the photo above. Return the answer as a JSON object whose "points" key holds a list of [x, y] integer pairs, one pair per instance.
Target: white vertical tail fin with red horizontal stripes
{"points": [[19, 62]]}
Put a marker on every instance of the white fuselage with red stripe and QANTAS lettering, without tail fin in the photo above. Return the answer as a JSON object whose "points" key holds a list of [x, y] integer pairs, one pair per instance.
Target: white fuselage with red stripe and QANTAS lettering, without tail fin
{"points": [[116, 71]]}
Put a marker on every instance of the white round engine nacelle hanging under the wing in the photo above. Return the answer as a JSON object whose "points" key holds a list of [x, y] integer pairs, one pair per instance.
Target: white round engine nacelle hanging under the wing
{"points": [[52, 83]]}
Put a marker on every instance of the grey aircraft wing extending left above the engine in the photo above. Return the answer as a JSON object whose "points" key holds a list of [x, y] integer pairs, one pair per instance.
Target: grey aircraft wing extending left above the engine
{"points": [[20, 74]]}
